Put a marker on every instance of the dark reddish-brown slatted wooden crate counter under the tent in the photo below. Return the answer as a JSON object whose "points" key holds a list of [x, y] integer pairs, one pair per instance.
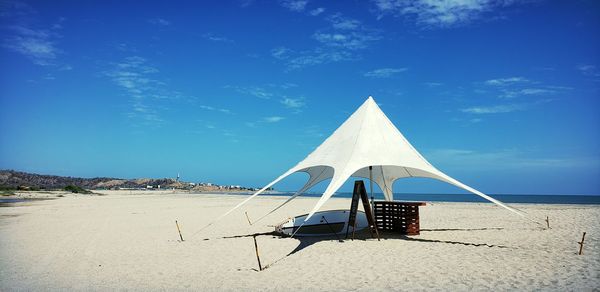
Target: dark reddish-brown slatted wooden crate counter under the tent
{"points": [[400, 217]]}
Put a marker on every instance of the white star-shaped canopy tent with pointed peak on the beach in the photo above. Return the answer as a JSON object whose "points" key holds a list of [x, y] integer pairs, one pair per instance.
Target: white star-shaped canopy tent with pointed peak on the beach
{"points": [[366, 139]]}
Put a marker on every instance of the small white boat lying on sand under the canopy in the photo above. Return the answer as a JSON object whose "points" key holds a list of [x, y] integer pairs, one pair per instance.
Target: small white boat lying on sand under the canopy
{"points": [[332, 222]]}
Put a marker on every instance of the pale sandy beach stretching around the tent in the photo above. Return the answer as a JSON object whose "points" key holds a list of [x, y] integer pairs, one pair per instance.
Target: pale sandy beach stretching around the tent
{"points": [[127, 241]]}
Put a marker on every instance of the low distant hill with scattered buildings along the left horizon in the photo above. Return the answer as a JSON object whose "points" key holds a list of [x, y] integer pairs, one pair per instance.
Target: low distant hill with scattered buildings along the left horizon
{"points": [[10, 179]]}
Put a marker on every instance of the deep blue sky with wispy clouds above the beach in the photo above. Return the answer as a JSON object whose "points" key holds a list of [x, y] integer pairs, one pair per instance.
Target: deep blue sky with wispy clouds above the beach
{"points": [[502, 95]]}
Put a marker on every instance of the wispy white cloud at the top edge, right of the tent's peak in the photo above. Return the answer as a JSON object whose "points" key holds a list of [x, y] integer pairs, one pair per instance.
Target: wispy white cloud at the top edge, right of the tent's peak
{"points": [[447, 13]]}
